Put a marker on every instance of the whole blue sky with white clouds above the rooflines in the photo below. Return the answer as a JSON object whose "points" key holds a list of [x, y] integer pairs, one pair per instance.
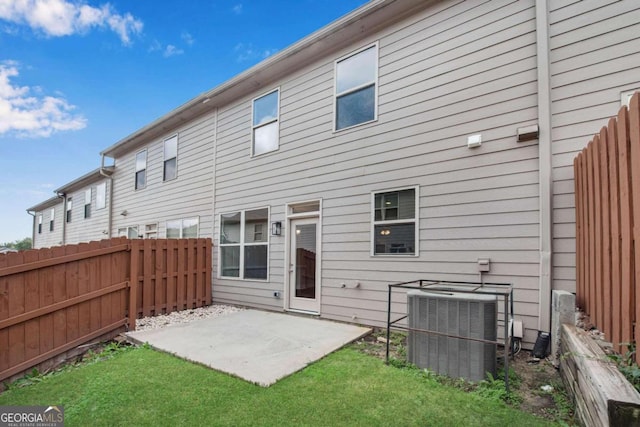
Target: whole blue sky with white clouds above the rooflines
{"points": [[78, 76]]}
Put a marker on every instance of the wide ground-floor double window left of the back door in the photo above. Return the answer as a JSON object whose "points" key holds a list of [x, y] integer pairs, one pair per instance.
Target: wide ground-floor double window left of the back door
{"points": [[244, 244]]}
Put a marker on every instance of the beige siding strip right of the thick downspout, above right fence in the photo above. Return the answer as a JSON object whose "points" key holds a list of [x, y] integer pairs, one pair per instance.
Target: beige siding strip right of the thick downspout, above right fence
{"points": [[594, 57]]}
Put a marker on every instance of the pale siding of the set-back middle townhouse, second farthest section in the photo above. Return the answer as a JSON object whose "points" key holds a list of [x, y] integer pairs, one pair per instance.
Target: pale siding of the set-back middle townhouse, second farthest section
{"points": [[96, 227]]}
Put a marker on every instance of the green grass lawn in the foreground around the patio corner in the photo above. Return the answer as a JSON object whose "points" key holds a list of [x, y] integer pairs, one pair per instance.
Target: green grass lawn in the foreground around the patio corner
{"points": [[349, 388]]}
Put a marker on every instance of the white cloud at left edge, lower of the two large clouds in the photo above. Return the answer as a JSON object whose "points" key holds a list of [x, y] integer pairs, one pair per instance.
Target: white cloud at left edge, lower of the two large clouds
{"points": [[26, 115]]}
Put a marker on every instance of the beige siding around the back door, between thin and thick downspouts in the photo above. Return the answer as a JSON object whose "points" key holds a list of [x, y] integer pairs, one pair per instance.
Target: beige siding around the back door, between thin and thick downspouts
{"points": [[452, 70]]}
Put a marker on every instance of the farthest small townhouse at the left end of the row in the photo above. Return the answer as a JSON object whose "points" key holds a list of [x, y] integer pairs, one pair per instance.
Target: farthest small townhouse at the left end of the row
{"points": [[47, 223]]}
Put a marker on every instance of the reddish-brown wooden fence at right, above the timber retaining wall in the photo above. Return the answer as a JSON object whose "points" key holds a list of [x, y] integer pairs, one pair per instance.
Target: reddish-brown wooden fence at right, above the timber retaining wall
{"points": [[607, 192]]}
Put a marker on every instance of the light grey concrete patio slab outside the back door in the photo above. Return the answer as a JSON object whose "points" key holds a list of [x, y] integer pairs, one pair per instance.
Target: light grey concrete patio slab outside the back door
{"points": [[258, 346]]}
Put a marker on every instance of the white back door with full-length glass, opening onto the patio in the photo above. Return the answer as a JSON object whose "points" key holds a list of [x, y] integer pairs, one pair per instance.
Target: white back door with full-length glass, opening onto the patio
{"points": [[304, 265]]}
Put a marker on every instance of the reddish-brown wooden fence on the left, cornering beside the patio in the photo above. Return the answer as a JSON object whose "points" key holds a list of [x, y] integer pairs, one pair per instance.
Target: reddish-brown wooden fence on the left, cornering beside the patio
{"points": [[54, 300]]}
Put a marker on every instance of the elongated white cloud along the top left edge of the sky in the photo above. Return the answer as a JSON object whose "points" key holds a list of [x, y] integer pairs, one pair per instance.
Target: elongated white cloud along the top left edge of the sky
{"points": [[58, 18]]}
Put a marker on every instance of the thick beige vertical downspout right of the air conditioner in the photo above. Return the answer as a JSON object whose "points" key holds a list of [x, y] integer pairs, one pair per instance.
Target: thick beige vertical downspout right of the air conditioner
{"points": [[545, 170]]}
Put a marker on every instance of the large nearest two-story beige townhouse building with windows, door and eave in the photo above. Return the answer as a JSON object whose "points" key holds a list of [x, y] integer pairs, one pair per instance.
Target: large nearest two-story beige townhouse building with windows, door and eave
{"points": [[403, 141]]}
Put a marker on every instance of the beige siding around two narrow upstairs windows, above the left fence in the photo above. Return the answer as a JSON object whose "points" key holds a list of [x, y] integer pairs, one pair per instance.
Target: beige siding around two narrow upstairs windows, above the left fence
{"points": [[189, 195]]}
